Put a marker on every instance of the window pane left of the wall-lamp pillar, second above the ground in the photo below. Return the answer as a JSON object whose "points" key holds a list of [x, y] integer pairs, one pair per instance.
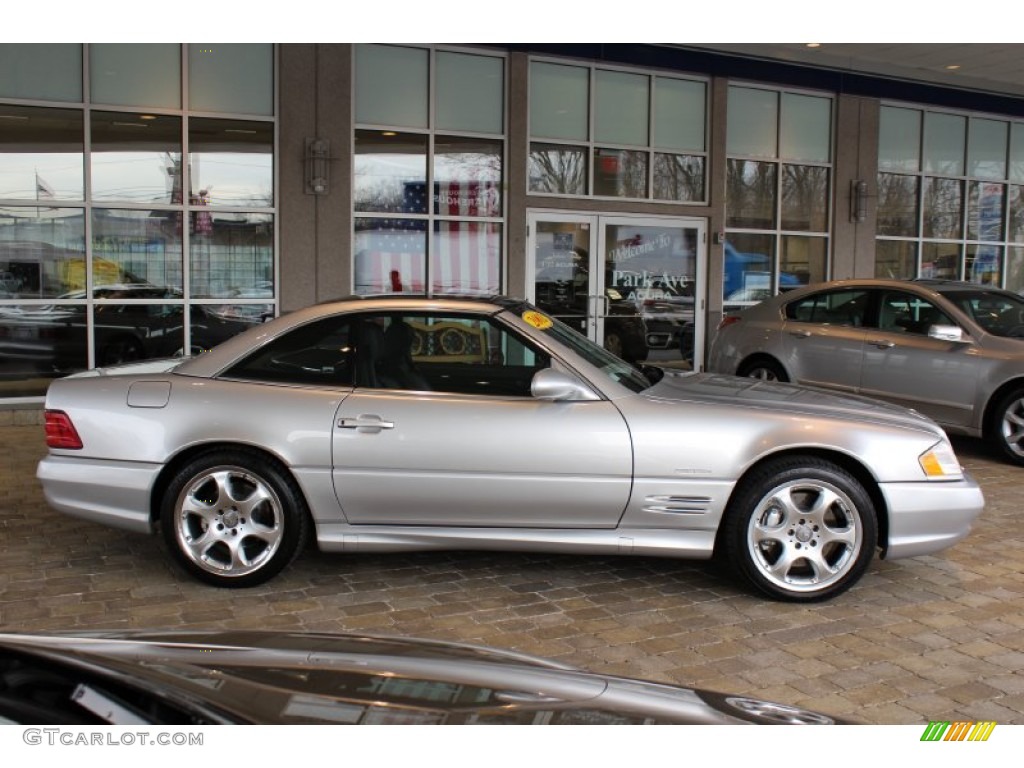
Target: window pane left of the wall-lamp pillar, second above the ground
{"points": [[231, 255]]}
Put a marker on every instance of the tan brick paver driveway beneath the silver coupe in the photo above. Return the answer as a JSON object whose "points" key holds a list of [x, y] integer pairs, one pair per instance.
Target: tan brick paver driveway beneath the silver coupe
{"points": [[937, 637]]}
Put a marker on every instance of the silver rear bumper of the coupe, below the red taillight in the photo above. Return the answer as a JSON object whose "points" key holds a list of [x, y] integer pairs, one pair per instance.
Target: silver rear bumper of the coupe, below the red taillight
{"points": [[115, 494]]}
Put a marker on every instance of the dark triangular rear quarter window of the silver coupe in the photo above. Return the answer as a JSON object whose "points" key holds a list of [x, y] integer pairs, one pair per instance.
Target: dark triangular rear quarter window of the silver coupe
{"points": [[318, 354]]}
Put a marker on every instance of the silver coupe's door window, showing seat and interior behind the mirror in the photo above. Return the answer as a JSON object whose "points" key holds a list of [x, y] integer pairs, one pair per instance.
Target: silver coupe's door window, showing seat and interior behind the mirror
{"points": [[443, 353]]}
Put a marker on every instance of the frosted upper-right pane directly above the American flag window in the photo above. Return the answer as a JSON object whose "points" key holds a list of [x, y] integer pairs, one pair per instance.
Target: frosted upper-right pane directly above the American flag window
{"points": [[471, 94]]}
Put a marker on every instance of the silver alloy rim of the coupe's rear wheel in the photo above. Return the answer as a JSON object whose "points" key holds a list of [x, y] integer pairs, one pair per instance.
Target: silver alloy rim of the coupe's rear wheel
{"points": [[229, 522]]}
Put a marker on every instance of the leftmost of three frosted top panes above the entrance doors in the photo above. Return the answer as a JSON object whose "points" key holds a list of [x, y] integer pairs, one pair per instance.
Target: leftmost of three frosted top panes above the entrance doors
{"points": [[560, 105]]}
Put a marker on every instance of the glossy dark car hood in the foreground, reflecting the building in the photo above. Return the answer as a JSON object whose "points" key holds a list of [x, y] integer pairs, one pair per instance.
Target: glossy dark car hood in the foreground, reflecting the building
{"points": [[269, 677]]}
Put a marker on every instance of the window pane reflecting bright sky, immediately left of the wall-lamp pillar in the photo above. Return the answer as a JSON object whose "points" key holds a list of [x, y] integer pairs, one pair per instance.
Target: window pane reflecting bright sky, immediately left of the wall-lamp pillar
{"points": [[231, 162]]}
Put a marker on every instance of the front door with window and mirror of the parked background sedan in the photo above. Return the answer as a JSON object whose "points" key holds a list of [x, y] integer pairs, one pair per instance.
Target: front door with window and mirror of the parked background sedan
{"points": [[905, 366]]}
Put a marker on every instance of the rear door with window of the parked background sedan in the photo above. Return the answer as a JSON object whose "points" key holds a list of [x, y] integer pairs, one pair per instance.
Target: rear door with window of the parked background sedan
{"points": [[824, 338]]}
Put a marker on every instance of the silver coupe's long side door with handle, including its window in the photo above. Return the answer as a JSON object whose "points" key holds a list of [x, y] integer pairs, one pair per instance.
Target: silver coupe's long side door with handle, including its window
{"points": [[465, 445]]}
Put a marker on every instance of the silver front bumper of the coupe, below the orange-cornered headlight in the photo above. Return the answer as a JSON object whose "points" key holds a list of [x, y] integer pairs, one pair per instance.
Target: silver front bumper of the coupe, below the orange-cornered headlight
{"points": [[926, 518]]}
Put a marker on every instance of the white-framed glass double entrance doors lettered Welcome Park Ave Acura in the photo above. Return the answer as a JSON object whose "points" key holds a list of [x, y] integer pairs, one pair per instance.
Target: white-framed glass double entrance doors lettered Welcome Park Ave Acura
{"points": [[632, 284]]}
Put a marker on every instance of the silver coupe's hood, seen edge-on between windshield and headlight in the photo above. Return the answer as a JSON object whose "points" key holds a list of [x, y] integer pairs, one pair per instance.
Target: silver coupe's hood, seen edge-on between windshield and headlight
{"points": [[788, 399]]}
